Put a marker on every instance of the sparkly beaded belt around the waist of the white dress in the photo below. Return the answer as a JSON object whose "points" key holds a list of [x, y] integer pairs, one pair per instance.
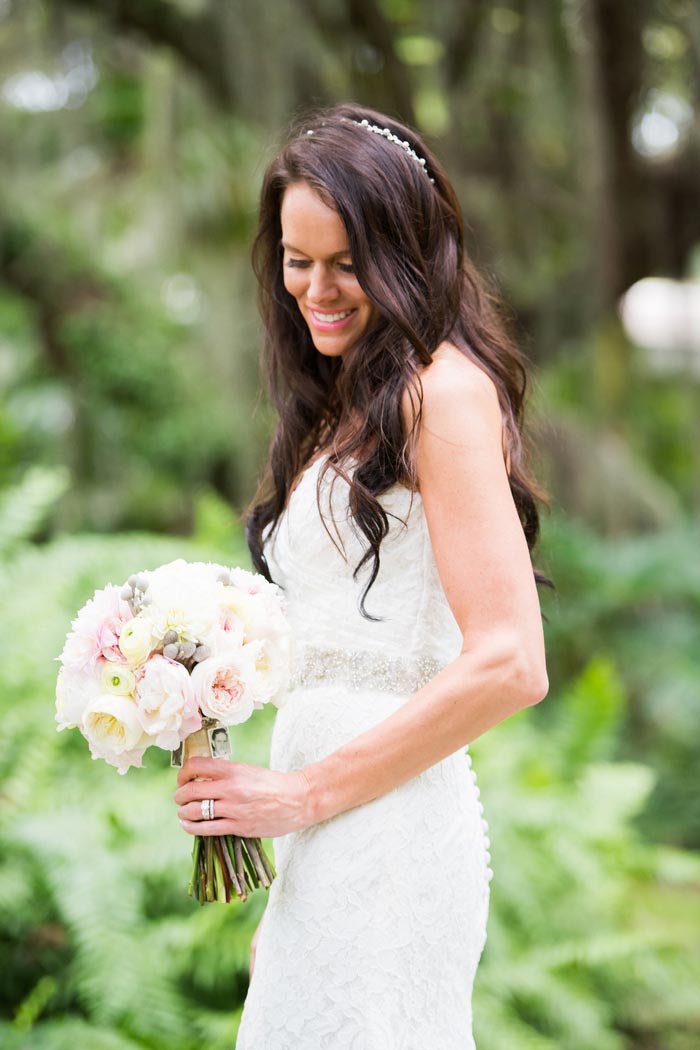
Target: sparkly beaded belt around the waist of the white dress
{"points": [[362, 669]]}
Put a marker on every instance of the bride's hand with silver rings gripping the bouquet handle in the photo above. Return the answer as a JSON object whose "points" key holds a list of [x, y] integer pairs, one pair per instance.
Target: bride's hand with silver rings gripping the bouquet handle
{"points": [[249, 801]]}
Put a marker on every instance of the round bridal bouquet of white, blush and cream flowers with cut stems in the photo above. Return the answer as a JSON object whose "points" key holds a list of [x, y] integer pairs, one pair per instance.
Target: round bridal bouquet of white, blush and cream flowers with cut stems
{"points": [[173, 659]]}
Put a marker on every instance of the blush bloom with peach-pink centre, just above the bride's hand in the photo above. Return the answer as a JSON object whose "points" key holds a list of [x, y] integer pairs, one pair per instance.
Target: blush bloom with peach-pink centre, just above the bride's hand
{"points": [[224, 687]]}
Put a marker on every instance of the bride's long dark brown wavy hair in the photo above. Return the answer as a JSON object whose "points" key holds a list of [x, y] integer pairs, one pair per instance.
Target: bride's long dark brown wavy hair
{"points": [[407, 243]]}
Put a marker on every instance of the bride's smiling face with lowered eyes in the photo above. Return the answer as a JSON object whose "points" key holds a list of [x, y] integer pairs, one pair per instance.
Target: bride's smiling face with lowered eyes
{"points": [[319, 271]]}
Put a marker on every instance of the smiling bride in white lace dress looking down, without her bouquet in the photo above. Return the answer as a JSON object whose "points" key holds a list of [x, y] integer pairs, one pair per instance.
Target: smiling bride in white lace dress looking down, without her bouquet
{"points": [[398, 516]]}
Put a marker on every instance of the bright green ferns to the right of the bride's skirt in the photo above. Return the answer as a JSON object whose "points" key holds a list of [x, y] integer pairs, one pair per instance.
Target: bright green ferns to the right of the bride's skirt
{"points": [[570, 960]]}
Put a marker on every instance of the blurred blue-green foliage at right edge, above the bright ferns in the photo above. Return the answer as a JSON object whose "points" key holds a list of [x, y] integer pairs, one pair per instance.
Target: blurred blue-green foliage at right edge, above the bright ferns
{"points": [[637, 601]]}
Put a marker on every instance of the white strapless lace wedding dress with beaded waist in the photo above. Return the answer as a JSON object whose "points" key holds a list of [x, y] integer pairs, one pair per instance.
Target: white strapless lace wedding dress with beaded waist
{"points": [[376, 922]]}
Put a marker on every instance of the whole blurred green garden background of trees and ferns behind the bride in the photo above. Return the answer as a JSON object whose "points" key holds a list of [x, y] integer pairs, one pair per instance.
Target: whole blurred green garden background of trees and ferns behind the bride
{"points": [[134, 135]]}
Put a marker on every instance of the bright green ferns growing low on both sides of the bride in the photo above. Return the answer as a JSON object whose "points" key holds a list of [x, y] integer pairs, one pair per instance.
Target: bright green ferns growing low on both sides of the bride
{"points": [[104, 946]]}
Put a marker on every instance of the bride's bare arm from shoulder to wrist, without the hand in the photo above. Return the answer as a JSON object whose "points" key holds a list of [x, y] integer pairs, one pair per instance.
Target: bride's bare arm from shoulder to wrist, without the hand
{"points": [[486, 572]]}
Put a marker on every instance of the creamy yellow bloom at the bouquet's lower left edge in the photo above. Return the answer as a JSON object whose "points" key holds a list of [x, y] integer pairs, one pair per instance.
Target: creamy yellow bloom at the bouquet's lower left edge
{"points": [[114, 731]]}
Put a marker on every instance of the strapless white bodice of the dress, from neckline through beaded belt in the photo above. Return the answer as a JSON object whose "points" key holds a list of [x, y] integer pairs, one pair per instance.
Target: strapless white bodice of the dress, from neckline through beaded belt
{"points": [[312, 555]]}
